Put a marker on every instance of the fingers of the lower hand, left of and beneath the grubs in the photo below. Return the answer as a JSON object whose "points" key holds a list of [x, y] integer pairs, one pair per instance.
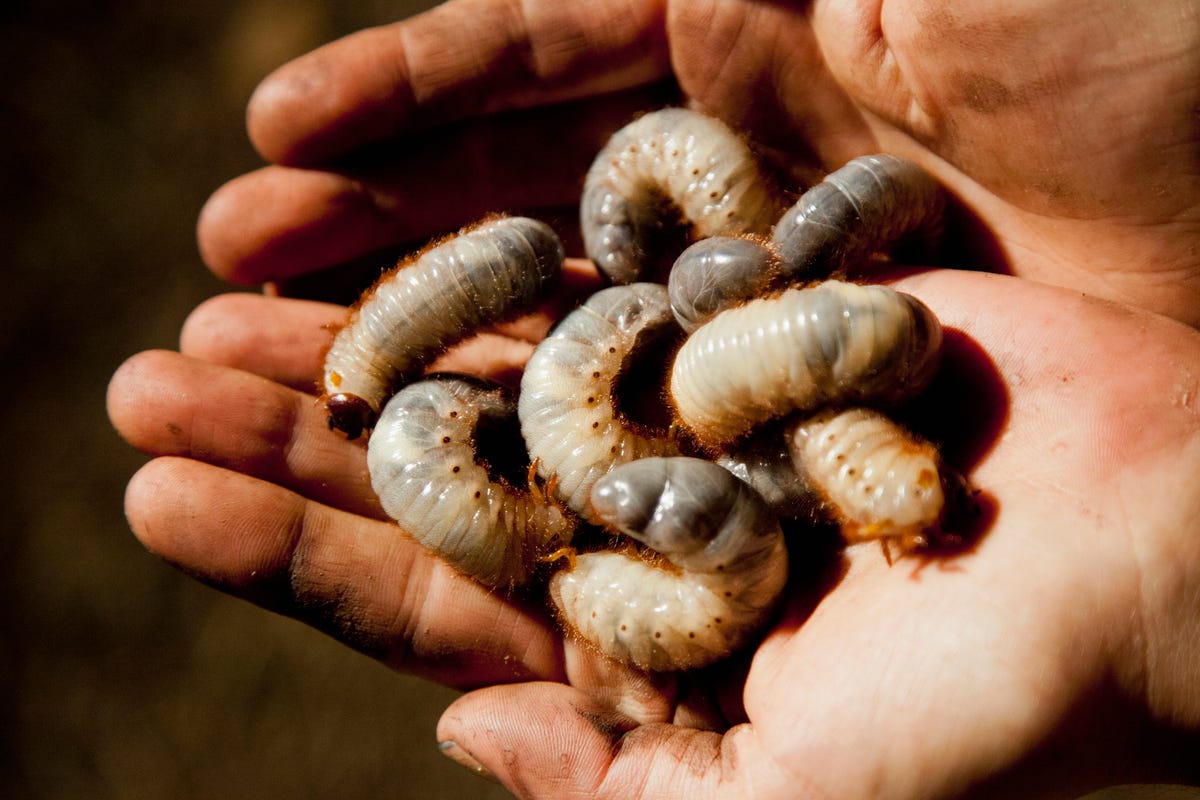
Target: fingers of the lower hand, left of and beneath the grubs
{"points": [[253, 494]]}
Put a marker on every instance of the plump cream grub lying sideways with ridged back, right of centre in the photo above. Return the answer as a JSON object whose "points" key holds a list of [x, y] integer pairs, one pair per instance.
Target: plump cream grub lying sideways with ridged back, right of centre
{"points": [[835, 344]]}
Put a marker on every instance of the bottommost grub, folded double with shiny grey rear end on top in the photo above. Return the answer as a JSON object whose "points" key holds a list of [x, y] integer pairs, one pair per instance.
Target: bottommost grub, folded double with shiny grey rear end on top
{"points": [[727, 566]]}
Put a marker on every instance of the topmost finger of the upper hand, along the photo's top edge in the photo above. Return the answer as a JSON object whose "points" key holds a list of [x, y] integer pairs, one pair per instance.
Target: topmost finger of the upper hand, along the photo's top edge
{"points": [[465, 59]]}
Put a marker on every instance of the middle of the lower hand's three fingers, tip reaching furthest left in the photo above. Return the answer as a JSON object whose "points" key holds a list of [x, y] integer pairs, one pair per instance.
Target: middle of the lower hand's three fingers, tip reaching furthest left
{"points": [[170, 405]]}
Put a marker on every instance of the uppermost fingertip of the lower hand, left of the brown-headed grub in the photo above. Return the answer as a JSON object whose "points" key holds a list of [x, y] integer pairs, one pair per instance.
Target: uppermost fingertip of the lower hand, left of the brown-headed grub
{"points": [[281, 340]]}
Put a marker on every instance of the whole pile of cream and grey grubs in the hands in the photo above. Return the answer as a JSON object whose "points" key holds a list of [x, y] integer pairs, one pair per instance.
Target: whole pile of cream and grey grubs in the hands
{"points": [[771, 394]]}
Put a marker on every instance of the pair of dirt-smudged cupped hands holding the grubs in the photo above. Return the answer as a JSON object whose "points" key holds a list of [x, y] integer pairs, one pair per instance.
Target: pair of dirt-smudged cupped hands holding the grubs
{"points": [[1115, 216]]}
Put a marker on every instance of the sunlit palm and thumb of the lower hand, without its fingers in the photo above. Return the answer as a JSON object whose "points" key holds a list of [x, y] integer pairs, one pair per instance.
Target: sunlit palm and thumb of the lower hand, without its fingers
{"points": [[1057, 655]]}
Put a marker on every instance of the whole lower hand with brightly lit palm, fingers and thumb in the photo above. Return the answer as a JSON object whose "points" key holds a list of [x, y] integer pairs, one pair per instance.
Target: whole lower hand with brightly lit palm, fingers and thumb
{"points": [[1060, 649]]}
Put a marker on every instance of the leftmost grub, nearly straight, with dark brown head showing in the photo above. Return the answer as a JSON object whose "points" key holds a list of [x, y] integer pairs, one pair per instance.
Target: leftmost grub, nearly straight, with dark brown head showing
{"points": [[484, 275]]}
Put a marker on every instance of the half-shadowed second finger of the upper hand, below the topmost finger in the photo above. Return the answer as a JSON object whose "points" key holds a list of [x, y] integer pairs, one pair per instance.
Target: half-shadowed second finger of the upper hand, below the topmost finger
{"points": [[280, 222]]}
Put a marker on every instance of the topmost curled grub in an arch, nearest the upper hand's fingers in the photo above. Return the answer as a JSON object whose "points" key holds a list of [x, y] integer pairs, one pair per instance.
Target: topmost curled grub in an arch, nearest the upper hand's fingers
{"points": [[669, 170]]}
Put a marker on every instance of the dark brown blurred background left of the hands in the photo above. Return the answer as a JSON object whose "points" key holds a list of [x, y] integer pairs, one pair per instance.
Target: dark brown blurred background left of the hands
{"points": [[122, 678]]}
